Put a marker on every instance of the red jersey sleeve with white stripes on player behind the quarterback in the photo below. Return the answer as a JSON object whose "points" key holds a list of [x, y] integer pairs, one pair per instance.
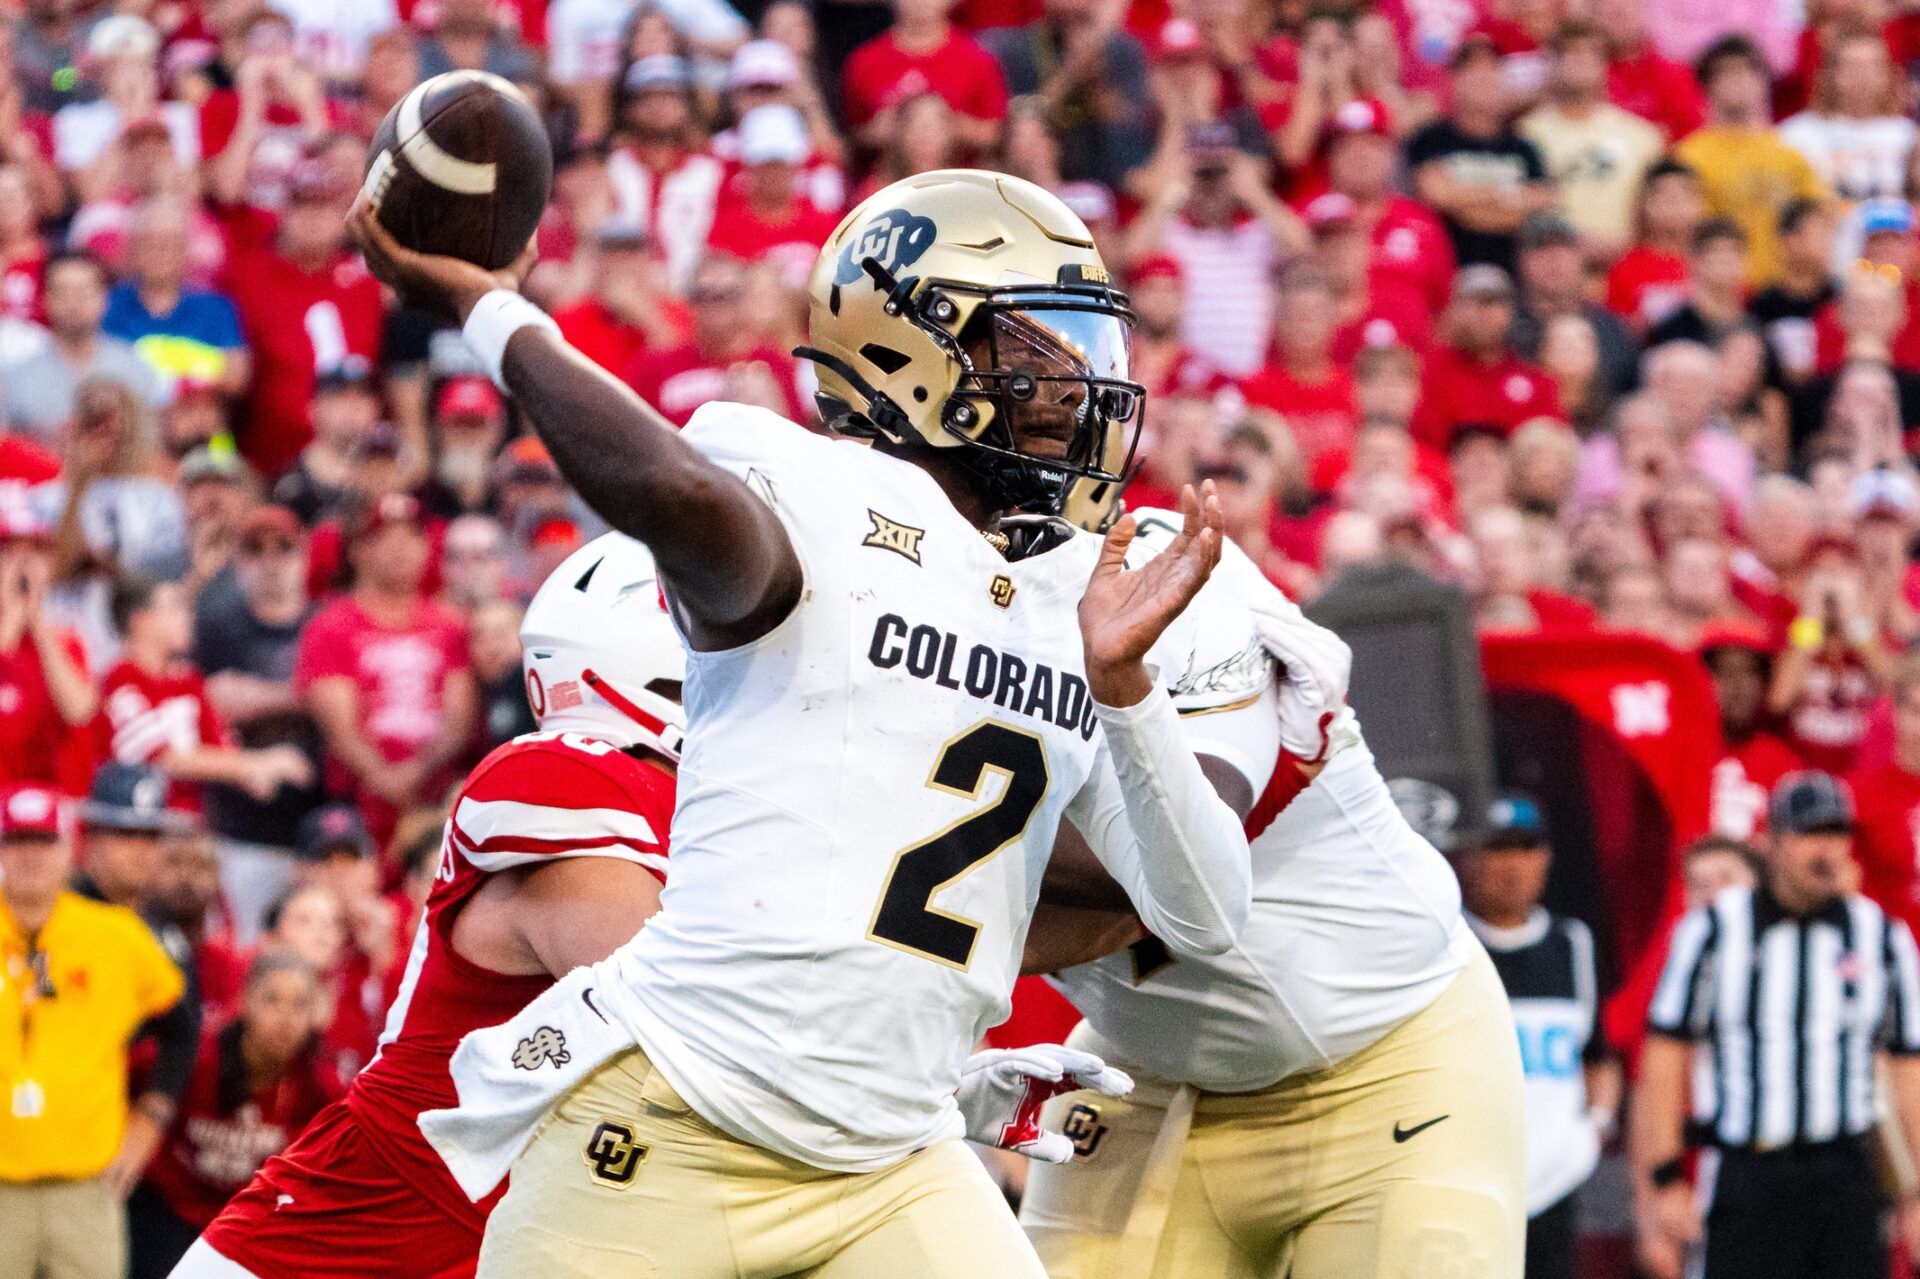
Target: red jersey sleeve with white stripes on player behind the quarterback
{"points": [[552, 800]]}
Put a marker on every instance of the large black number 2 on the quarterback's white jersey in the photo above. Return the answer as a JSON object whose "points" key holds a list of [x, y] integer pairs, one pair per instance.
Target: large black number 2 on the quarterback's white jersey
{"points": [[907, 917]]}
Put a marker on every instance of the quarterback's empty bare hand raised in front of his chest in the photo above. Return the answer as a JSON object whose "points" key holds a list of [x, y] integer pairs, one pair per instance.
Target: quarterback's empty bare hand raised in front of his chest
{"points": [[1126, 610]]}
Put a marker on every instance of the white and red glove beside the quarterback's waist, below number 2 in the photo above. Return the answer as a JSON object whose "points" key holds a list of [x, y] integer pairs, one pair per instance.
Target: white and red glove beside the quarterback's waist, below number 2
{"points": [[1003, 1090]]}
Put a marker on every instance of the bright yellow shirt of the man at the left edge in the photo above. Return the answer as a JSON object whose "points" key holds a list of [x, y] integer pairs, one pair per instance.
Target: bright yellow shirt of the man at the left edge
{"points": [[64, 1036]]}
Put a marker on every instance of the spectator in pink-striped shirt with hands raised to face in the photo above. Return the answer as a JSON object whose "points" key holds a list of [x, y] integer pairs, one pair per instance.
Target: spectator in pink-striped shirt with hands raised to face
{"points": [[1220, 220]]}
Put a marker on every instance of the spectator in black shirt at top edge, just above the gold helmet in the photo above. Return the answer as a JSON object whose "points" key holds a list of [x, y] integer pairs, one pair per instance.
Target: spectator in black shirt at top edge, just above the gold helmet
{"points": [[1092, 78]]}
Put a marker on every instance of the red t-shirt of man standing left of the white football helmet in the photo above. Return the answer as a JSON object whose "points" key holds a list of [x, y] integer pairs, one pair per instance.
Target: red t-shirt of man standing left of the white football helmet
{"points": [[400, 673]]}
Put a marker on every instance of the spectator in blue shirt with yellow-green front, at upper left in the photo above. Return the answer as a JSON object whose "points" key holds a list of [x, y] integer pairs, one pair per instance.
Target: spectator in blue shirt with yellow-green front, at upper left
{"points": [[185, 335]]}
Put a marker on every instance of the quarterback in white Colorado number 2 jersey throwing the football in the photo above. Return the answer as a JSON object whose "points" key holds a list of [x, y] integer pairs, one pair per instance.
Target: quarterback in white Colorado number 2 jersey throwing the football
{"points": [[896, 692]]}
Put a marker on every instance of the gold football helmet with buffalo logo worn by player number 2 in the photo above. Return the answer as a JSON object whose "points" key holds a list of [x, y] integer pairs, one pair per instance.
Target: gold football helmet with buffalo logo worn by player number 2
{"points": [[959, 306]]}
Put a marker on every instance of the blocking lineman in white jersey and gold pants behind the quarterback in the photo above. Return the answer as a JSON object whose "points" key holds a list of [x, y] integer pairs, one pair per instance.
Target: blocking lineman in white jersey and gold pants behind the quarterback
{"points": [[1341, 1090]]}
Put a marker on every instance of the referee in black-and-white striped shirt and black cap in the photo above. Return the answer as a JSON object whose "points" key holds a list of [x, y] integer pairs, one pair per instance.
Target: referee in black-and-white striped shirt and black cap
{"points": [[1792, 990]]}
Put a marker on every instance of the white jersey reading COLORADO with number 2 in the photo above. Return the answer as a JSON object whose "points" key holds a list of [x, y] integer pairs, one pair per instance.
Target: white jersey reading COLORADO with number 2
{"points": [[867, 802]]}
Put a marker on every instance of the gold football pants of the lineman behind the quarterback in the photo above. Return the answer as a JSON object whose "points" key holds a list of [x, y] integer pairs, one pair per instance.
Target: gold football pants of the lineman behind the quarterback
{"points": [[1406, 1161]]}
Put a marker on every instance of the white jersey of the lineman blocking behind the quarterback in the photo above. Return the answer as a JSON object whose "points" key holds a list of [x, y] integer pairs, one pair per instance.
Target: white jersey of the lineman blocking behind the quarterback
{"points": [[1356, 919]]}
